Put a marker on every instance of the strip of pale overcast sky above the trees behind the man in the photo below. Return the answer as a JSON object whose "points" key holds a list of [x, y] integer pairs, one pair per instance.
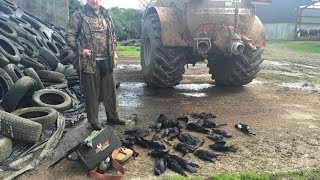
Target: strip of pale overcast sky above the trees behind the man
{"points": [[120, 3]]}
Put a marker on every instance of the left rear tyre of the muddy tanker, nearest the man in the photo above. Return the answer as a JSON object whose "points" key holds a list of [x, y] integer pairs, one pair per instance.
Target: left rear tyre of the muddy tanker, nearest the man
{"points": [[162, 67]]}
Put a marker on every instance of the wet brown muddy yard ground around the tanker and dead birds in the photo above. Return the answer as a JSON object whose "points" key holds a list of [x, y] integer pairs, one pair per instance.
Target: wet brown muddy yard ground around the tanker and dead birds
{"points": [[281, 105]]}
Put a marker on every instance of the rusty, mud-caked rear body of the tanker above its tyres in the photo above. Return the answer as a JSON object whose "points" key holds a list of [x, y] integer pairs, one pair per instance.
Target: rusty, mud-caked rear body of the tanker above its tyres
{"points": [[203, 24]]}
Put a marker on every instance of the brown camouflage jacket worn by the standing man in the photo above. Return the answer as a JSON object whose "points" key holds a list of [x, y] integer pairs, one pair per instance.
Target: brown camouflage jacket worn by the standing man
{"points": [[95, 32]]}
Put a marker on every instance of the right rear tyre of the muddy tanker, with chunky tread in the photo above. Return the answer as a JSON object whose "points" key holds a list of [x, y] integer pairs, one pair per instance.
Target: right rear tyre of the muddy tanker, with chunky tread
{"points": [[237, 70]]}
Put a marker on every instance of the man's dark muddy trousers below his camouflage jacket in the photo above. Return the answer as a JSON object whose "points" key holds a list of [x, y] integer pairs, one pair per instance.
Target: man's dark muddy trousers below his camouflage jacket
{"points": [[101, 84]]}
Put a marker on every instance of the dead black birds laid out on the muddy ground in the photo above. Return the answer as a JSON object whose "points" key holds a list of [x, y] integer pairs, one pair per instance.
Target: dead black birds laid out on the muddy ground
{"points": [[166, 130]]}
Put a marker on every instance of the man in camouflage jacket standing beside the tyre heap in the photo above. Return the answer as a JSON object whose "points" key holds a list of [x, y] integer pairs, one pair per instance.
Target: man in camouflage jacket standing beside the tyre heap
{"points": [[93, 28]]}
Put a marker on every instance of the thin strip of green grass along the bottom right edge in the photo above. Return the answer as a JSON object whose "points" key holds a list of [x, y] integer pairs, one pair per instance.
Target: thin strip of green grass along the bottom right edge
{"points": [[301, 175]]}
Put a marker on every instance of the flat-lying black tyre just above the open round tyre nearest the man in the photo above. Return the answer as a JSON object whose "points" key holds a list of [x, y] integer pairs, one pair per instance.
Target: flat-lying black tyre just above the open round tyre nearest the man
{"points": [[51, 76]]}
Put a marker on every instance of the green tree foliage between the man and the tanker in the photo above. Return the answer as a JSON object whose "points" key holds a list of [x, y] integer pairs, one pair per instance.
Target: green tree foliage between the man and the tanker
{"points": [[127, 22]]}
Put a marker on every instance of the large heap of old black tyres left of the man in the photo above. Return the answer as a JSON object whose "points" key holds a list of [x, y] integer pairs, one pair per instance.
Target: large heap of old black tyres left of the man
{"points": [[33, 56]]}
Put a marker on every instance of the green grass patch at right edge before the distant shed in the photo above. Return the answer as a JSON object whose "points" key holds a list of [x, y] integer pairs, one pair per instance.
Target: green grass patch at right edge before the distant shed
{"points": [[303, 46]]}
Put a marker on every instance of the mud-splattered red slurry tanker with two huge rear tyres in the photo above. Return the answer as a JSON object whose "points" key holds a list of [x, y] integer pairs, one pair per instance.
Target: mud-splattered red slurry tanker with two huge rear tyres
{"points": [[226, 33]]}
